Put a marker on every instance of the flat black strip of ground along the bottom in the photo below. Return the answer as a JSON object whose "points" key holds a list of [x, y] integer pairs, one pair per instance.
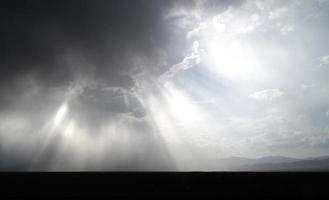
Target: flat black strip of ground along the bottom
{"points": [[122, 185]]}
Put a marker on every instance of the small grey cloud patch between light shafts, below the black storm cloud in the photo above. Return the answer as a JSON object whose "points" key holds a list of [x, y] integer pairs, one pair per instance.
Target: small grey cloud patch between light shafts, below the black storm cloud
{"points": [[95, 106]]}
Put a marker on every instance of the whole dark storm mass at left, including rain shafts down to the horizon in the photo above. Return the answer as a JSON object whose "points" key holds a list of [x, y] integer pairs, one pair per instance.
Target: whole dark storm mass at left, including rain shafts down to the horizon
{"points": [[93, 46]]}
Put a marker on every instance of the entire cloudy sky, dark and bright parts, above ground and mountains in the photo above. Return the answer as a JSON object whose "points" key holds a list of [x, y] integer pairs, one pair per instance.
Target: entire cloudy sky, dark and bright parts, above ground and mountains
{"points": [[161, 85]]}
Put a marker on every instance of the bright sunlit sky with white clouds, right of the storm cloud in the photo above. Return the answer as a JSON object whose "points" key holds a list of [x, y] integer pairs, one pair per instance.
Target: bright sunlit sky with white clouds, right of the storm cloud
{"points": [[271, 91]]}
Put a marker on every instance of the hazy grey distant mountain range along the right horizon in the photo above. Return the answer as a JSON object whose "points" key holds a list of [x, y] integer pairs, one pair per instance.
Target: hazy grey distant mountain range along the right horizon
{"points": [[271, 163]]}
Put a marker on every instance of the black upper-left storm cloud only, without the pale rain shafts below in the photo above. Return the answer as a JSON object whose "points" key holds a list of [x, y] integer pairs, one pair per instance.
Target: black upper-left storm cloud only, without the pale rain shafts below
{"points": [[56, 43]]}
